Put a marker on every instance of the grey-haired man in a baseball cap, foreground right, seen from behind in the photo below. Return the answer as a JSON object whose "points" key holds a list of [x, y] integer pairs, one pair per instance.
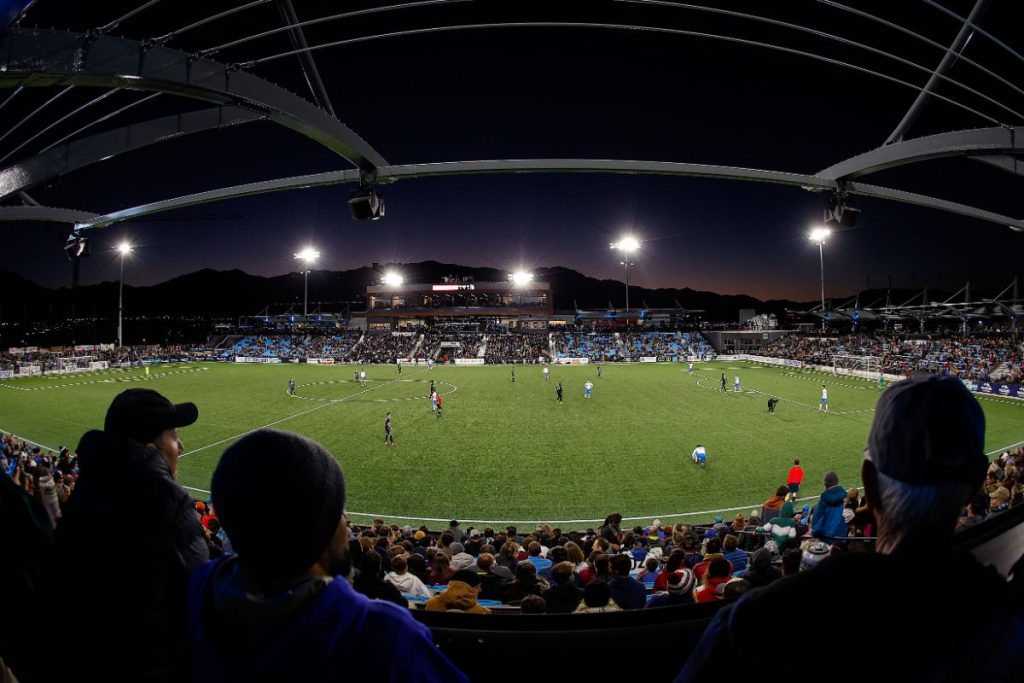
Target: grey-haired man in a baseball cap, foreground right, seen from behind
{"points": [[925, 460]]}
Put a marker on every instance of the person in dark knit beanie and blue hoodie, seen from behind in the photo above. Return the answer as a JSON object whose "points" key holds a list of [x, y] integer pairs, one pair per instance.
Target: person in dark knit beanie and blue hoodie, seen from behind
{"points": [[282, 609]]}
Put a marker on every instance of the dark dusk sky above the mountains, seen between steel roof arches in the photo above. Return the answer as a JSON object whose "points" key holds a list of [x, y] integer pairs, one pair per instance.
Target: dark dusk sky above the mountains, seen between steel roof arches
{"points": [[553, 93]]}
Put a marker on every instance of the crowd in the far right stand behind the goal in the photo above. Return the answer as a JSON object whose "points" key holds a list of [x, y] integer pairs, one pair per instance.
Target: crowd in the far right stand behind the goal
{"points": [[971, 357]]}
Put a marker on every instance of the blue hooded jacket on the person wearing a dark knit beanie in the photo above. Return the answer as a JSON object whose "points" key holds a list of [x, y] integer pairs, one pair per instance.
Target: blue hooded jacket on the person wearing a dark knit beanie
{"points": [[320, 630]]}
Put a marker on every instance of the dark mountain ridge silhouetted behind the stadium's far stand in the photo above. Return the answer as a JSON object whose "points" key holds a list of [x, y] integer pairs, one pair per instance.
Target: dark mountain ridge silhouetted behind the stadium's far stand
{"points": [[231, 293]]}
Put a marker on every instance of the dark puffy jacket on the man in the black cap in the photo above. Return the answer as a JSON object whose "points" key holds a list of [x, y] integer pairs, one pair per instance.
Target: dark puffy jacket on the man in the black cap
{"points": [[126, 544]]}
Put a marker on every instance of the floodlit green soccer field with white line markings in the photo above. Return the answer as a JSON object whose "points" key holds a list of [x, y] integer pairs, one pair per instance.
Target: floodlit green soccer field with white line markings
{"points": [[508, 452]]}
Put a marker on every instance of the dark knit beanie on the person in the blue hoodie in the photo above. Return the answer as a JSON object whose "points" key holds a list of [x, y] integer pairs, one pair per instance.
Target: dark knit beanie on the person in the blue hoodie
{"points": [[274, 542]]}
